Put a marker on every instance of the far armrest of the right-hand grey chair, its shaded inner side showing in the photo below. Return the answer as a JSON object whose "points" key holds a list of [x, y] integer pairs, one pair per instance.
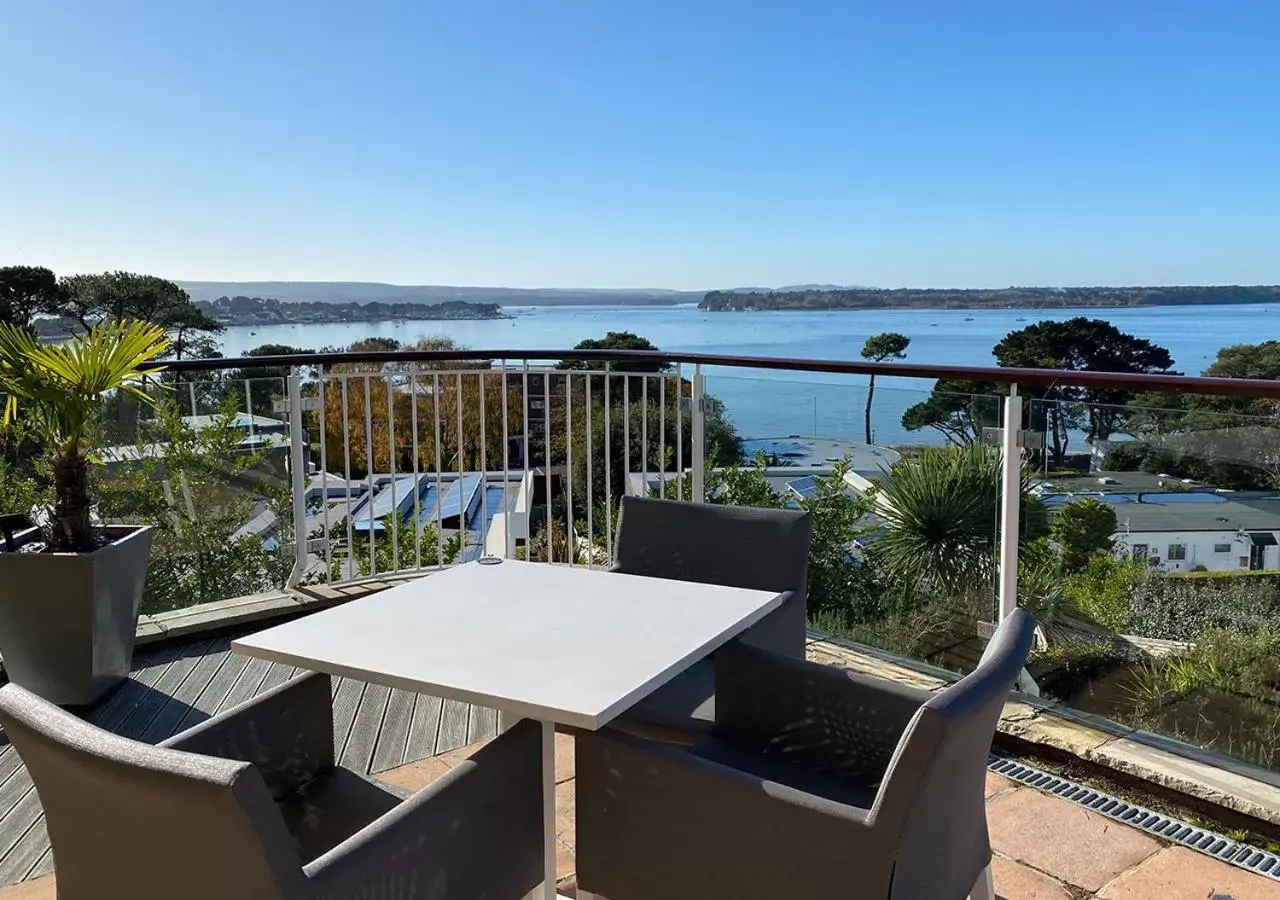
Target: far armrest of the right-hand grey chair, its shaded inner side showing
{"points": [[821, 718]]}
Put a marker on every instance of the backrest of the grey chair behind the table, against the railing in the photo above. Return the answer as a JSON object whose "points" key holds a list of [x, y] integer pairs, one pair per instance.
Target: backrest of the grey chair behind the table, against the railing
{"points": [[732, 546]]}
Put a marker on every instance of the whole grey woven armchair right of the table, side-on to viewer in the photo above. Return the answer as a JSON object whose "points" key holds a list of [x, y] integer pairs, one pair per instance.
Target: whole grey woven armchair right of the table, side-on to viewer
{"points": [[819, 783]]}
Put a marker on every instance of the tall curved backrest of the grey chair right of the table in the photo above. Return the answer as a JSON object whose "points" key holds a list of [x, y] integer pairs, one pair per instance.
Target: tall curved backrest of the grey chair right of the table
{"points": [[934, 793]]}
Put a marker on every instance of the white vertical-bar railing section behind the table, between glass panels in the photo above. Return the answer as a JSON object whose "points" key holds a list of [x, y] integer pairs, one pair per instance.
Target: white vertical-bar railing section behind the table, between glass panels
{"points": [[474, 455]]}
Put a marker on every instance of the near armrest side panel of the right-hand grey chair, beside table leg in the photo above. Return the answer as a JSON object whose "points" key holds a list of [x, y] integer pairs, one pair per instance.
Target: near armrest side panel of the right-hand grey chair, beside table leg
{"points": [[651, 816]]}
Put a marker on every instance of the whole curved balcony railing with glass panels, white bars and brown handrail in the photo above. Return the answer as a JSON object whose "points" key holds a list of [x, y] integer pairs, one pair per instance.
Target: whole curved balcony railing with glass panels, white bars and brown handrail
{"points": [[346, 467]]}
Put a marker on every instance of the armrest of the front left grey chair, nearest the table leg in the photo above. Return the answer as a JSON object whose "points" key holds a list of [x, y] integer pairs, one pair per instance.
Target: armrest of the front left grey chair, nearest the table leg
{"points": [[476, 833]]}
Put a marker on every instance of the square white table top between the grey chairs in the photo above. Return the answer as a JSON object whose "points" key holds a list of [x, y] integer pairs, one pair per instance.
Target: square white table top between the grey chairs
{"points": [[564, 645]]}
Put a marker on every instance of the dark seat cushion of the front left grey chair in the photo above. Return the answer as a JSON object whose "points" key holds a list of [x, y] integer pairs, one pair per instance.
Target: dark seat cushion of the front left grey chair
{"points": [[331, 808]]}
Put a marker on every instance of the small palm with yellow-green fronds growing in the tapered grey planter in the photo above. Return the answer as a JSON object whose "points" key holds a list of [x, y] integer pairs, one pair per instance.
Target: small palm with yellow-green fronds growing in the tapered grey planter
{"points": [[56, 391]]}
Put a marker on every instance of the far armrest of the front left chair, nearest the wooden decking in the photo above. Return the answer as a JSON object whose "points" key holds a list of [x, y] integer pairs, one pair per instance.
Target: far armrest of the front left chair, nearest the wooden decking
{"points": [[286, 733]]}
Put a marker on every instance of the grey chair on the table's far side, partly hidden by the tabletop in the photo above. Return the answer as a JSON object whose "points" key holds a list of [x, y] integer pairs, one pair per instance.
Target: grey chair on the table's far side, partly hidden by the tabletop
{"points": [[737, 547]]}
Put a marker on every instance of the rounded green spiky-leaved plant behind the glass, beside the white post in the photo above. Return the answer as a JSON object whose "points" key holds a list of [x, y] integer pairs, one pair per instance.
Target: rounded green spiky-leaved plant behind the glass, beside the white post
{"points": [[941, 510]]}
